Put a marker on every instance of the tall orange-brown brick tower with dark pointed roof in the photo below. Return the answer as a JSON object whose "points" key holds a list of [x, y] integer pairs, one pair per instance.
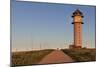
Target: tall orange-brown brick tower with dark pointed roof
{"points": [[77, 23]]}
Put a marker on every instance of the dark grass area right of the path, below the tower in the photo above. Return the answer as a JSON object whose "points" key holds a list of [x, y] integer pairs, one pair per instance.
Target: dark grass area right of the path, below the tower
{"points": [[81, 55]]}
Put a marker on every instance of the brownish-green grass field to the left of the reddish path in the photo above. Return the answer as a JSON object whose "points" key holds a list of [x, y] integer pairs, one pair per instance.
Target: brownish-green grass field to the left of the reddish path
{"points": [[28, 57]]}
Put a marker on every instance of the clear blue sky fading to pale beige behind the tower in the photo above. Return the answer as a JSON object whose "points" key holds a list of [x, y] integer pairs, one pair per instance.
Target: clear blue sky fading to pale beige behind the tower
{"points": [[48, 24]]}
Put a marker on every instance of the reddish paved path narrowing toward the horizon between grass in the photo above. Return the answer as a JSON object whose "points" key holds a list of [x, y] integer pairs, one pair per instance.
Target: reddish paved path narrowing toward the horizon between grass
{"points": [[56, 56]]}
